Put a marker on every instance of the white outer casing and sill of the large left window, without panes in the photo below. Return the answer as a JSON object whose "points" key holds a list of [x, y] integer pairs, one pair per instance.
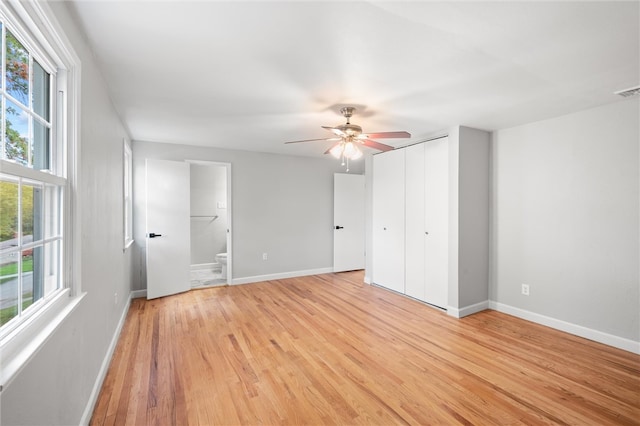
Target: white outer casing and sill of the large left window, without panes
{"points": [[36, 23]]}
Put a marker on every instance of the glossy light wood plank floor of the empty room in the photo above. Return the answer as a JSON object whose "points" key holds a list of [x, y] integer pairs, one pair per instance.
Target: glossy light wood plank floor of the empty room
{"points": [[329, 349]]}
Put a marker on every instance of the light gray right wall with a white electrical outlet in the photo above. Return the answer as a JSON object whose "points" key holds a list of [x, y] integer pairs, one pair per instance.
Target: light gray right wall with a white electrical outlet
{"points": [[565, 218]]}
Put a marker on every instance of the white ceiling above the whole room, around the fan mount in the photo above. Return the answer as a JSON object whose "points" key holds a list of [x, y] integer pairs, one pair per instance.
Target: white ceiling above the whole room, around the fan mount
{"points": [[252, 75]]}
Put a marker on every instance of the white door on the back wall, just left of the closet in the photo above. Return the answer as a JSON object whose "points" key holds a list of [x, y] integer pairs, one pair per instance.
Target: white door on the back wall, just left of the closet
{"points": [[348, 221]]}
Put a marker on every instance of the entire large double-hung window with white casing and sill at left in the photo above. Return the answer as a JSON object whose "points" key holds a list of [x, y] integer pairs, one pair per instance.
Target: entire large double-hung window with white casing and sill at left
{"points": [[39, 239]]}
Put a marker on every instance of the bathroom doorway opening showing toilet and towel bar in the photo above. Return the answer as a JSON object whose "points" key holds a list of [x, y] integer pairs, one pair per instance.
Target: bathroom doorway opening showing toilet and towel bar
{"points": [[210, 223]]}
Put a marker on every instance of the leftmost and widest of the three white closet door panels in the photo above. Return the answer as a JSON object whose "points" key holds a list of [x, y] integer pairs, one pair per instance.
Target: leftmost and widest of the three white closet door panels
{"points": [[388, 220]]}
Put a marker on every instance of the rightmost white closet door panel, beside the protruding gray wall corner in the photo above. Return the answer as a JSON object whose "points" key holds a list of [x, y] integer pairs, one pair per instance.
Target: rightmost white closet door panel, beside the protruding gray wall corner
{"points": [[436, 160]]}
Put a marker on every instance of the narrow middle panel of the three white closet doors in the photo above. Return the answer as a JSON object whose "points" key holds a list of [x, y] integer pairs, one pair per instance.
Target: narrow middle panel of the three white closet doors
{"points": [[415, 221]]}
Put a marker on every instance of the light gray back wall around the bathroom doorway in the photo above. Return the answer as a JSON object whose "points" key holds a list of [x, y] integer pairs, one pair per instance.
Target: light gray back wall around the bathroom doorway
{"points": [[281, 205]]}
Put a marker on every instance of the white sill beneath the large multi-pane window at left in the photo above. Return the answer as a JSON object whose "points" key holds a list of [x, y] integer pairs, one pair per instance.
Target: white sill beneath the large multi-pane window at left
{"points": [[24, 342]]}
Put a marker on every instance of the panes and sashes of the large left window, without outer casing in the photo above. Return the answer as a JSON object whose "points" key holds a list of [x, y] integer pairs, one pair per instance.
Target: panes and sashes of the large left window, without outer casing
{"points": [[30, 231]]}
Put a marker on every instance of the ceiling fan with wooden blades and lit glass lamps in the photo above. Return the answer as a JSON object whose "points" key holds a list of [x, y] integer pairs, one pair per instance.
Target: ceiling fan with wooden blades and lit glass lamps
{"points": [[348, 136]]}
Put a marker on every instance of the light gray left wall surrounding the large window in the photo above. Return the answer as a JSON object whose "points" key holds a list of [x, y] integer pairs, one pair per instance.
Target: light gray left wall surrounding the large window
{"points": [[57, 384]]}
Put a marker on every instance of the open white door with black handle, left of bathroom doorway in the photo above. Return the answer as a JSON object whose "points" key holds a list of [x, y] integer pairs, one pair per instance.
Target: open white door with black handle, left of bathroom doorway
{"points": [[167, 227]]}
